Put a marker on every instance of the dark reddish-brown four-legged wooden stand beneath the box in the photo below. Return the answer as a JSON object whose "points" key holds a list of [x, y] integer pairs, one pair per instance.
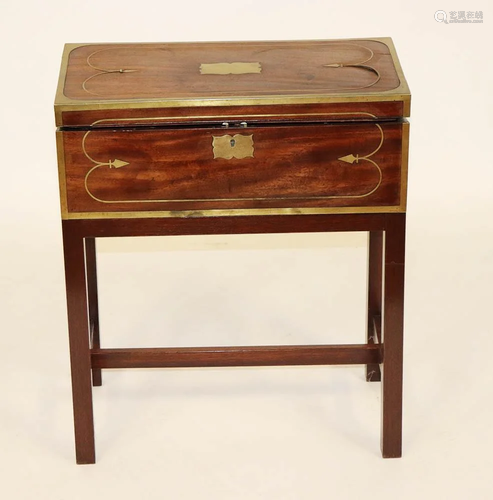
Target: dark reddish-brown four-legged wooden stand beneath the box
{"points": [[385, 311]]}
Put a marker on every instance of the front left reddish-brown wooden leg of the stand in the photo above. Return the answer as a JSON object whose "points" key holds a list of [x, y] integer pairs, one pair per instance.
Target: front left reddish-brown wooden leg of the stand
{"points": [[80, 358]]}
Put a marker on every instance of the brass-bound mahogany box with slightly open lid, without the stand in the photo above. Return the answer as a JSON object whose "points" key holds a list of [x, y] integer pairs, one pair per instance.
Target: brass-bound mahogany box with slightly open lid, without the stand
{"points": [[153, 130]]}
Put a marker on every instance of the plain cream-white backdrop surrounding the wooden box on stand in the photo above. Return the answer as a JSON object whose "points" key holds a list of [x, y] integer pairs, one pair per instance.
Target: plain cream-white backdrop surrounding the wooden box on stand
{"points": [[277, 433]]}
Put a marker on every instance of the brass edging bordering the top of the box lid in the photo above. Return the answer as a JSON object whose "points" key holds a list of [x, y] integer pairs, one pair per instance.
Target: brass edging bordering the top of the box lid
{"points": [[400, 93]]}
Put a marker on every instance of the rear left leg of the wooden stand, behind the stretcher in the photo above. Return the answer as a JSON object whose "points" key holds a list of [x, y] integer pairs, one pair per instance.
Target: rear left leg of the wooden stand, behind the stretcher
{"points": [[92, 297]]}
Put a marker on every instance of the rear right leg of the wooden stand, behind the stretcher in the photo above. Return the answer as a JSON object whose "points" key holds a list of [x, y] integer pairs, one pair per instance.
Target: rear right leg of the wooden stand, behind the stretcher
{"points": [[375, 271]]}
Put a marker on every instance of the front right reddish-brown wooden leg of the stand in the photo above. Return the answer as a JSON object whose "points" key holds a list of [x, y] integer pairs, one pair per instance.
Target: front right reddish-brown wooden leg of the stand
{"points": [[393, 319]]}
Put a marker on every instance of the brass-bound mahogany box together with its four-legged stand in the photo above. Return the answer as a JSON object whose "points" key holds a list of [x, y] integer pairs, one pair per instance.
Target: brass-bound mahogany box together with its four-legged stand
{"points": [[225, 138]]}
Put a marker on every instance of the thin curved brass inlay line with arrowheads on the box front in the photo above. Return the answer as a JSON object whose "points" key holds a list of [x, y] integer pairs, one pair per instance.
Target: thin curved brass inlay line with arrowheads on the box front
{"points": [[355, 159]]}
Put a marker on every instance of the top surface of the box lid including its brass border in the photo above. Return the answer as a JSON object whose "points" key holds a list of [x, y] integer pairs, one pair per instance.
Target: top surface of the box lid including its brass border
{"points": [[113, 76]]}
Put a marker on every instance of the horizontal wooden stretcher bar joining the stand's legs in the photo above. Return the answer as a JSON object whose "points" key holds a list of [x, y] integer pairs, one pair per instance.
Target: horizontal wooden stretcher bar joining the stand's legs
{"points": [[236, 356]]}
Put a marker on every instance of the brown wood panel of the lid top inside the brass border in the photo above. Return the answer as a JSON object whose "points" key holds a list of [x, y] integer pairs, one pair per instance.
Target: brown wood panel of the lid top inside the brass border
{"points": [[170, 70]]}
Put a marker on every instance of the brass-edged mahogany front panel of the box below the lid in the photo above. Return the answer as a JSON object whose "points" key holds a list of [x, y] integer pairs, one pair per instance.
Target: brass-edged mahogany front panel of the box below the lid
{"points": [[348, 167]]}
